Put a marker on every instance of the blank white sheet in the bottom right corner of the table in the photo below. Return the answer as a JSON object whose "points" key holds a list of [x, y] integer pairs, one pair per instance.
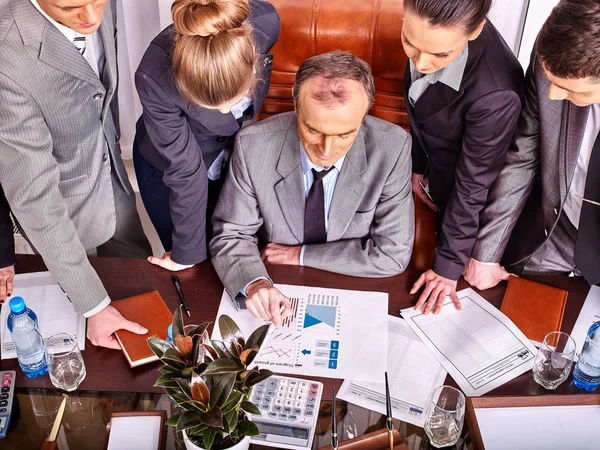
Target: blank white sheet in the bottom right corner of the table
{"points": [[540, 427]]}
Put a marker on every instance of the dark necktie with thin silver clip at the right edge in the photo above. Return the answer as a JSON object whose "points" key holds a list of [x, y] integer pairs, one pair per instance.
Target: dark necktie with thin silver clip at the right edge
{"points": [[587, 248]]}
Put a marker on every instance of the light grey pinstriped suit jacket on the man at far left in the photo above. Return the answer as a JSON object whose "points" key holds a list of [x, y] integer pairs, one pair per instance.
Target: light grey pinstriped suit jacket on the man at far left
{"points": [[58, 144]]}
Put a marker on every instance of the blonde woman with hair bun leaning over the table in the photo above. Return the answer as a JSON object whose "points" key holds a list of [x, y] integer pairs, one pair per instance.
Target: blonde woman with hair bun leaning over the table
{"points": [[198, 81]]}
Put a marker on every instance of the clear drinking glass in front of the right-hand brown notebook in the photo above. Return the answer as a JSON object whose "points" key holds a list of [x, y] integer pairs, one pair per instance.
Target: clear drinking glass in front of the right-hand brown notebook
{"points": [[554, 359]]}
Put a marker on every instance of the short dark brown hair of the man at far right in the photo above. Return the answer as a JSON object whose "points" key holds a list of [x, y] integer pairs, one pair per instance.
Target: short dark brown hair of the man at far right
{"points": [[569, 42]]}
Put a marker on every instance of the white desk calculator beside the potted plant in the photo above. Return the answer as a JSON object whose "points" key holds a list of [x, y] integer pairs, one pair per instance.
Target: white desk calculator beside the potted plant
{"points": [[290, 407]]}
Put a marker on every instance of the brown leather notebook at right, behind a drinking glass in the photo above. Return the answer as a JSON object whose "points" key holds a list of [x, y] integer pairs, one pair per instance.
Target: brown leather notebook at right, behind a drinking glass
{"points": [[536, 309]]}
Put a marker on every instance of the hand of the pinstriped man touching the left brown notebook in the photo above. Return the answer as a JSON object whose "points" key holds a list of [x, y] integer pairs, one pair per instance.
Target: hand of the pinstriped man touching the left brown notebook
{"points": [[103, 324]]}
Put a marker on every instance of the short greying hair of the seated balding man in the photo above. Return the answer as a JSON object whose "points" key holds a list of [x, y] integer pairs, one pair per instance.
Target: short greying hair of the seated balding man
{"points": [[335, 66]]}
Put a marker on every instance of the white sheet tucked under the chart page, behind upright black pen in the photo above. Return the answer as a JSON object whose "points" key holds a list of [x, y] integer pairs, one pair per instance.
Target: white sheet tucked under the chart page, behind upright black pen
{"points": [[413, 374]]}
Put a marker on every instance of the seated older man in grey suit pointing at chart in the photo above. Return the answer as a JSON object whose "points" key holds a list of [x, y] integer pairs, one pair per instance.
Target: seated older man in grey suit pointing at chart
{"points": [[325, 186]]}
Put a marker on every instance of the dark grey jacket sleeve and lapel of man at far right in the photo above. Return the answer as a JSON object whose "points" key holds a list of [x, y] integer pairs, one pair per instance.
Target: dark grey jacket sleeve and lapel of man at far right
{"points": [[525, 203]]}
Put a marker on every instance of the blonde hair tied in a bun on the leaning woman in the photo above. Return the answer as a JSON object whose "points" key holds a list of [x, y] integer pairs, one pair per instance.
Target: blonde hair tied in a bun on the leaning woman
{"points": [[214, 56]]}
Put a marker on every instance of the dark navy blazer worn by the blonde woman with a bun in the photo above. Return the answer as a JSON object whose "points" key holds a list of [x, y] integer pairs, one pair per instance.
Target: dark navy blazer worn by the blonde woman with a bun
{"points": [[182, 139]]}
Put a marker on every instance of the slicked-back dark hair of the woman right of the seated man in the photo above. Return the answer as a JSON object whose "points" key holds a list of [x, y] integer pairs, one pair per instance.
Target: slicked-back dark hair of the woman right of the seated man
{"points": [[467, 14]]}
